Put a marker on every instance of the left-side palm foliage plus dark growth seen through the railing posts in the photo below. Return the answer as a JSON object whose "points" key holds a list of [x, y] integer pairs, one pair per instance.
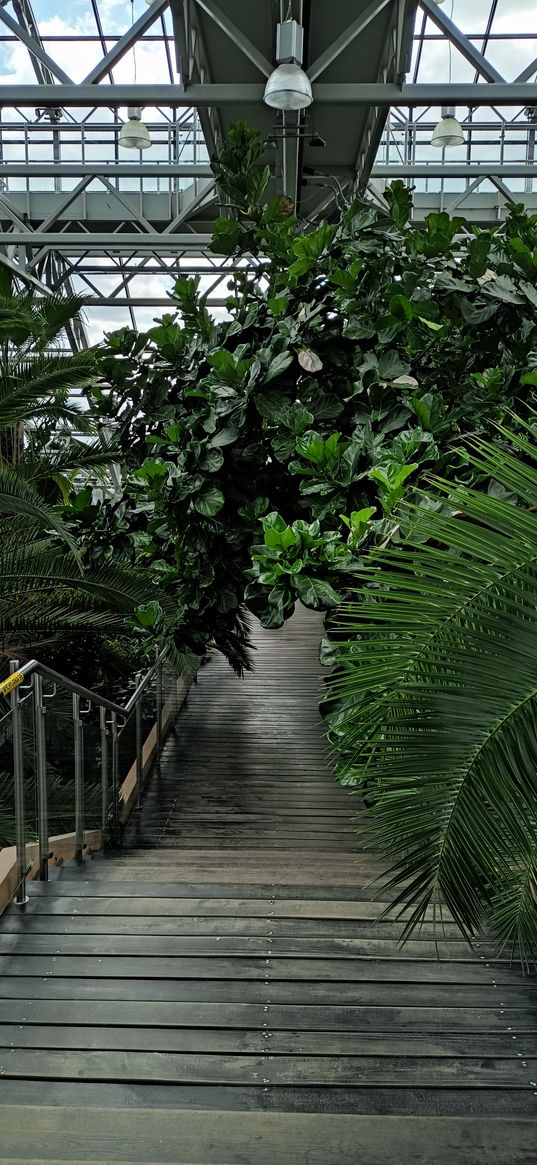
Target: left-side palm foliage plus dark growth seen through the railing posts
{"points": [[52, 603]]}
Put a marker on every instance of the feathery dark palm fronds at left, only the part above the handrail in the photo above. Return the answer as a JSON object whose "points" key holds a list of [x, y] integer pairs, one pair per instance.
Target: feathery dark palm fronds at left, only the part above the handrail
{"points": [[46, 448]]}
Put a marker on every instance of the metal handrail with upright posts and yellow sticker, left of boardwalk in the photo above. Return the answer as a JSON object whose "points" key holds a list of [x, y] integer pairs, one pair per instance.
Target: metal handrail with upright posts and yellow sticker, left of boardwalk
{"points": [[110, 729]]}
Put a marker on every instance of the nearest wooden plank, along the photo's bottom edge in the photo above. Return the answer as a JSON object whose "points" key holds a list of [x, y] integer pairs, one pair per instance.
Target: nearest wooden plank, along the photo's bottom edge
{"points": [[168, 1138]]}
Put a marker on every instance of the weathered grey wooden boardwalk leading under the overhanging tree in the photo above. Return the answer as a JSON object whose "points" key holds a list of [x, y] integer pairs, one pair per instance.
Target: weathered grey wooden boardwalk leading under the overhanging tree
{"points": [[220, 994]]}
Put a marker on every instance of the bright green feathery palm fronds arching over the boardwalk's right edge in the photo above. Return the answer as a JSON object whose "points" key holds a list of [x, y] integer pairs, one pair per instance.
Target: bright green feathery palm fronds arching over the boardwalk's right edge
{"points": [[437, 691]]}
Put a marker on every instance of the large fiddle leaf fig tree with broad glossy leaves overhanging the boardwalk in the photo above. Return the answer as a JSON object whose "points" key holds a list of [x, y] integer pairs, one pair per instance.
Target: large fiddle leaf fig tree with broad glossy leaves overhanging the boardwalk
{"points": [[263, 455]]}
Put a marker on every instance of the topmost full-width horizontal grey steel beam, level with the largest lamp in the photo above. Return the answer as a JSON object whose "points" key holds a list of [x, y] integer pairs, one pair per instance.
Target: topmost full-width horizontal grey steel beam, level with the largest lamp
{"points": [[230, 95]]}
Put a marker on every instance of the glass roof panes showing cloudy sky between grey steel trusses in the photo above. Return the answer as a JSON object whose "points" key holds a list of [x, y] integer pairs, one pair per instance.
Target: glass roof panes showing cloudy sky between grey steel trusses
{"points": [[80, 33]]}
